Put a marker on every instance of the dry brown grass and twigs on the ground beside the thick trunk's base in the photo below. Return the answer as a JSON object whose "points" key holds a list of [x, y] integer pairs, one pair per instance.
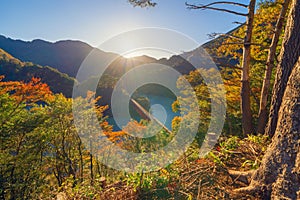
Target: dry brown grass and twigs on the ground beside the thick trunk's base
{"points": [[204, 178]]}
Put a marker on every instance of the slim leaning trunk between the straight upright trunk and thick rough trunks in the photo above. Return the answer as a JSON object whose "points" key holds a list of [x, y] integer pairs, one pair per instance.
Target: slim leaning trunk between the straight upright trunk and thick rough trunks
{"points": [[262, 116]]}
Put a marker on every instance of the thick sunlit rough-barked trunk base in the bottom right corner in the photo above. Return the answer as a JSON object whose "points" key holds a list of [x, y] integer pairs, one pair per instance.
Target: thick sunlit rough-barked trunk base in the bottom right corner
{"points": [[279, 174]]}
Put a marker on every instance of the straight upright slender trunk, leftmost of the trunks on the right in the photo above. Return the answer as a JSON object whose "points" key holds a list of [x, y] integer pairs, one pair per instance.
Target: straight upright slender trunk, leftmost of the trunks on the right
{"points": [[245, 88]]}
